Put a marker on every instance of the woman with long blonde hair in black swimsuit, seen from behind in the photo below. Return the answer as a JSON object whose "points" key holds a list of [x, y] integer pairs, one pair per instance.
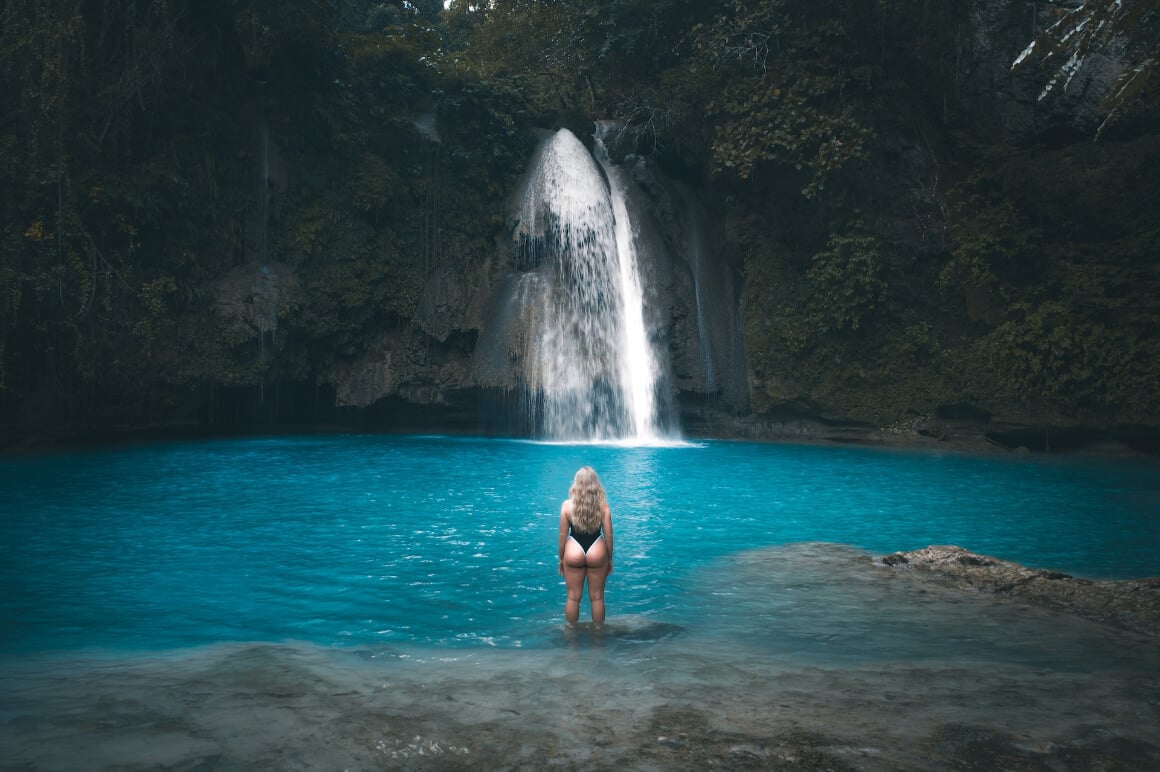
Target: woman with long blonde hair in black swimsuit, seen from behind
{"points": [[586, 544]]}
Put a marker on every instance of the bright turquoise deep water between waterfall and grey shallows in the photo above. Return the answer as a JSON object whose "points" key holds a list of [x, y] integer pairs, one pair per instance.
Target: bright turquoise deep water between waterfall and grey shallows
{"points": [[451, 543]]}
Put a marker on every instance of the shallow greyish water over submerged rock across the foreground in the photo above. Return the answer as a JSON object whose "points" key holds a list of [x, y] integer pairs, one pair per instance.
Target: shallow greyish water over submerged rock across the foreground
{"points": [[832, 661]]}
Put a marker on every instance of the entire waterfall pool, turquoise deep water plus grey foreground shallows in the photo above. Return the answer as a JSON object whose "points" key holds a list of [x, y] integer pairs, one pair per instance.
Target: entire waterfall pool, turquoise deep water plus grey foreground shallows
{"points": [[382, 602]]}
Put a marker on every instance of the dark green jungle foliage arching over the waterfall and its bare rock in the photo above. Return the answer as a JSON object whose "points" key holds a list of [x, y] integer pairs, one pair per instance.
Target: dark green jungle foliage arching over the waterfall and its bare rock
{"points": [[238, 193]]}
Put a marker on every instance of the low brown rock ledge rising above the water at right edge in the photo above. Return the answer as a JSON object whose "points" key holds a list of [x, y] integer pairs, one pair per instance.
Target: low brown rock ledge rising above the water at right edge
{"points": [[1132, 605]]}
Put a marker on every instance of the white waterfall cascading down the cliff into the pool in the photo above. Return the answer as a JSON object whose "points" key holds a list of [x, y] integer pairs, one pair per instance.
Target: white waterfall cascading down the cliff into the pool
{"points": [[590, 363]]}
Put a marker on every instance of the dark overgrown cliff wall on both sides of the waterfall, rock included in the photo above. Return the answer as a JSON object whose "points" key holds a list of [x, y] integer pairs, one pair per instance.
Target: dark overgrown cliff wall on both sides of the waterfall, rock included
{"points": [[330, 239]]}
